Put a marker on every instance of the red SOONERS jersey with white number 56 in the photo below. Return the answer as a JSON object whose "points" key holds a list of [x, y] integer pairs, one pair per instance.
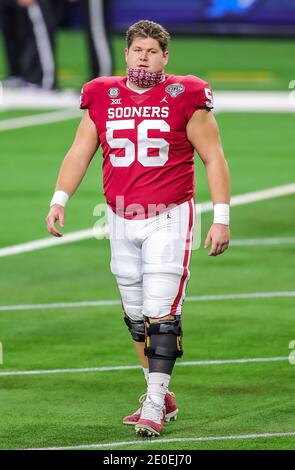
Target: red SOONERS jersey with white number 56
{"points": [[148, 160]]}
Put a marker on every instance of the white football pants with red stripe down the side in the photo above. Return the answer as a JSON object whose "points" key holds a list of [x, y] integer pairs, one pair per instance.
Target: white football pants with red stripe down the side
{"points": [[150, 260]]}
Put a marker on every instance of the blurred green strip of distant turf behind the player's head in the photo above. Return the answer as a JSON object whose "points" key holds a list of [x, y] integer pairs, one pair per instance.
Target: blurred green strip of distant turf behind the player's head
{"points": [[254, 64]]}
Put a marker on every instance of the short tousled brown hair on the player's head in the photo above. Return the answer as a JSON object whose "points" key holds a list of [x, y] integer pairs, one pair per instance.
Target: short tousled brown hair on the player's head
{"points": [[148, 29]]}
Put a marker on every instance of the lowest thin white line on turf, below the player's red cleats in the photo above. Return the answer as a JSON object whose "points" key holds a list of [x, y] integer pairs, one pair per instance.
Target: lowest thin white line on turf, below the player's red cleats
{"points": [[166, 441]]}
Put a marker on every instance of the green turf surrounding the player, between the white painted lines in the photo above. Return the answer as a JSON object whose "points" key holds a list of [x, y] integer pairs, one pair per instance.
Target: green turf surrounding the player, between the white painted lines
{"points": [[226, 399]]}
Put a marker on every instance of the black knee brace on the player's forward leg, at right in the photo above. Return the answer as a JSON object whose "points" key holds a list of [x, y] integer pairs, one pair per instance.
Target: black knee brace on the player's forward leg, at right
{"points": [[163, 339]]}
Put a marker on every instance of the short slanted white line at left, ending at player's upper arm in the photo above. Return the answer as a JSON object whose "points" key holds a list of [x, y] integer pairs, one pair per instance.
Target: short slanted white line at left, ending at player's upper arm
{"points": [[38, 119]]}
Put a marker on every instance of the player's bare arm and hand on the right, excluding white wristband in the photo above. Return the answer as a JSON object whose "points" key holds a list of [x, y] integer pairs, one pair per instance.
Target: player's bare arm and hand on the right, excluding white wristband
{"points": [[203, 133]]}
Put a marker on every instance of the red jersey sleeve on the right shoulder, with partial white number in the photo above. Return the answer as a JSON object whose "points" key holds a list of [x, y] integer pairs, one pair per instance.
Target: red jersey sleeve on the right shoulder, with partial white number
{"points": [[199, 96]]}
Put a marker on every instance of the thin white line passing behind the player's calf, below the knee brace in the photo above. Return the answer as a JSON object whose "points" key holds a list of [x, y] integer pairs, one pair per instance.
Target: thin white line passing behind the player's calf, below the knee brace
{"points": [[119, 368]]}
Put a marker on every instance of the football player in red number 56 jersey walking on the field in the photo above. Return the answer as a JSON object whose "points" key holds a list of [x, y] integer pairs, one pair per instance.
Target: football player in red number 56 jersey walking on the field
{"points": [[149, 124]]}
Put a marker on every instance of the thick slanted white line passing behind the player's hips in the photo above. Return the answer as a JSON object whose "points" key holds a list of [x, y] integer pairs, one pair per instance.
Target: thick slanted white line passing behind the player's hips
{"points": [[103, 231]]}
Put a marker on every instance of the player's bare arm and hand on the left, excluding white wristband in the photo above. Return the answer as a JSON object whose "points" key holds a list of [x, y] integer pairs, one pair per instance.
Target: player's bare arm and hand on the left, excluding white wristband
{"points": [[73, 168]]}
